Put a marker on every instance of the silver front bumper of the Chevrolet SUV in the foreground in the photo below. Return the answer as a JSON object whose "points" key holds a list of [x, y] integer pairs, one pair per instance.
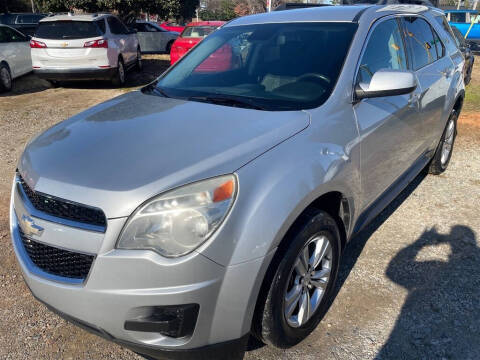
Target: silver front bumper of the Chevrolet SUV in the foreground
{"points": [[121, 282]]}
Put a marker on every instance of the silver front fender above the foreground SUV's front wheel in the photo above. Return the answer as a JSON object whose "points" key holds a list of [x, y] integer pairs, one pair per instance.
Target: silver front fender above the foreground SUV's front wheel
{"points": [[275, 189]]}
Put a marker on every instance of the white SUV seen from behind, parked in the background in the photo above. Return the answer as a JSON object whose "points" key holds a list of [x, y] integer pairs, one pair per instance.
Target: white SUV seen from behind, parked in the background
{"points": [[84, 47]]}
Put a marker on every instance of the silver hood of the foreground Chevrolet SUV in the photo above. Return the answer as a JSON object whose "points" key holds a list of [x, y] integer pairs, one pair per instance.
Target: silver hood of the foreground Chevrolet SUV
{"points": [[120, 153]]}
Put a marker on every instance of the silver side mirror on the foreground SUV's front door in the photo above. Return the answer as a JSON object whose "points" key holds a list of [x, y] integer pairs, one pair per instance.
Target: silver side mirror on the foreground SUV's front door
{"points": [[387, 82]]}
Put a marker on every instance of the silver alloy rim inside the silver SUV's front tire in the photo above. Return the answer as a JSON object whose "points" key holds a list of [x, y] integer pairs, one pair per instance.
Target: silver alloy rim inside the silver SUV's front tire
{"points": [[308, 281]]}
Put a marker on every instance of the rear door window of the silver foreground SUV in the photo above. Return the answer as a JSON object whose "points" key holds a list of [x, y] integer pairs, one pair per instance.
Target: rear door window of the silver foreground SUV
{"points": [[419, 38]]}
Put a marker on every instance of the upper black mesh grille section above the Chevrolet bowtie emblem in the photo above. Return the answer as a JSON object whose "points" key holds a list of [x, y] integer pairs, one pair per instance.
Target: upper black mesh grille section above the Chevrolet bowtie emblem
{"points": [[62, 208]]}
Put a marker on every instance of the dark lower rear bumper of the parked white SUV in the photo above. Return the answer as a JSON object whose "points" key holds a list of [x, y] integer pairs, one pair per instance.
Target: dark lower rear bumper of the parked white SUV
{"points": [[59, 74]]}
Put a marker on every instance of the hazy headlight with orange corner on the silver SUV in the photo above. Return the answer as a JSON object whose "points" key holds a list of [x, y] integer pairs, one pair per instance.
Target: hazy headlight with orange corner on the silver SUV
{"points": [[179, 221]]}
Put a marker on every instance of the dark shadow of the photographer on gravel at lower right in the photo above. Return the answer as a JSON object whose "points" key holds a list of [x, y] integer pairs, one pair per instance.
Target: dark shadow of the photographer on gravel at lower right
{"points": [[440, 317]]}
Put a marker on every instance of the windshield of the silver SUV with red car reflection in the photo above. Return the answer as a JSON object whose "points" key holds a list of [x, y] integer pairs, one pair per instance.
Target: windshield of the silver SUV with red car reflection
{"points": [[287, 66]]}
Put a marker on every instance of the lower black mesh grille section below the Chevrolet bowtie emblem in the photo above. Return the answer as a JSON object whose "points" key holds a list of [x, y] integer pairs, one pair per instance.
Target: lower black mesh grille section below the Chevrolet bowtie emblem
{"points": [[57, 261]]}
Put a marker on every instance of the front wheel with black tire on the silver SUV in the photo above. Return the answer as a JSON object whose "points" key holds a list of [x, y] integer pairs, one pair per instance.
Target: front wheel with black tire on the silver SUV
{"points": [[272, 322]]}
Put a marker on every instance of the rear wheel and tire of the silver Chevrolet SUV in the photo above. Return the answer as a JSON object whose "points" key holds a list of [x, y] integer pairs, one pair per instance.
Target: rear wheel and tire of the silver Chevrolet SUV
{"points": [[443, 154]]}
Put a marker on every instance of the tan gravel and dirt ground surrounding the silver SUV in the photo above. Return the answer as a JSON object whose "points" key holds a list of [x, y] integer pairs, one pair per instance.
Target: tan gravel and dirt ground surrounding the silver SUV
{"points": [[409, 284]]}
